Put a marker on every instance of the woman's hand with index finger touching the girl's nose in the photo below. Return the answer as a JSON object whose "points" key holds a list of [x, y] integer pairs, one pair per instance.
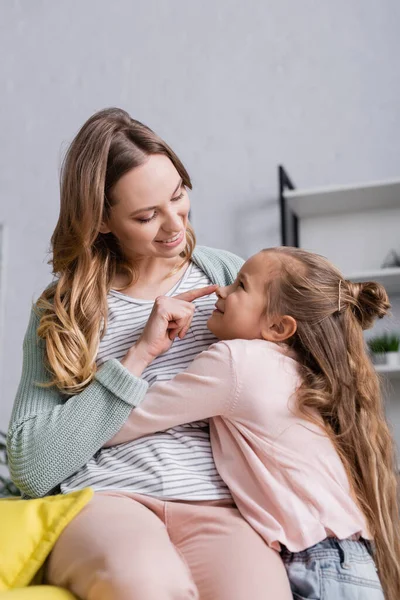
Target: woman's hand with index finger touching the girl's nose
{"points": [[170, 318]]}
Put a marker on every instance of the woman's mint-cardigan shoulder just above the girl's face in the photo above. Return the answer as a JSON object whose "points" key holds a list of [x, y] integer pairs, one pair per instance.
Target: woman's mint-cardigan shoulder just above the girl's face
{"points": [[221, 266]]}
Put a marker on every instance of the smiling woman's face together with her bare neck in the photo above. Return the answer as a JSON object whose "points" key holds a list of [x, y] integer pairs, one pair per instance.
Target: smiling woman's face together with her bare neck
{"points": [[144, 231]]}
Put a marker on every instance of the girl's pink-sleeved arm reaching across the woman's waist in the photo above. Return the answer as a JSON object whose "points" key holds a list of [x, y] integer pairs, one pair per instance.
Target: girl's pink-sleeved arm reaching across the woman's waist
{"points": [[206, 389]]}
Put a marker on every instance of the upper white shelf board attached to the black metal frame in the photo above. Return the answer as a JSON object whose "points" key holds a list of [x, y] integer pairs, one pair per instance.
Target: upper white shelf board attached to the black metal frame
{"points": [[344, 199]]}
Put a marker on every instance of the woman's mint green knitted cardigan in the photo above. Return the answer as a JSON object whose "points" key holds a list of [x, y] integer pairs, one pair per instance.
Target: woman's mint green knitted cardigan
{"points": [[50, 438]]}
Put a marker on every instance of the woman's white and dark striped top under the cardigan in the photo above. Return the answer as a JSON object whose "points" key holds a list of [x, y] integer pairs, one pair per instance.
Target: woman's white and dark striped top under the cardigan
{"points": [[174, 464]]}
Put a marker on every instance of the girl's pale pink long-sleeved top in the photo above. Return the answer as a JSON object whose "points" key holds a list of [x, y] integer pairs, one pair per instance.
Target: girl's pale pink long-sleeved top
{"points": [[283, 471]]}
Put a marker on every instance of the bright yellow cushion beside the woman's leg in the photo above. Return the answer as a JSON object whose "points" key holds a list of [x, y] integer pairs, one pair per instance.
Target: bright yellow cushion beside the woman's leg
{"points": [[29, 530]]}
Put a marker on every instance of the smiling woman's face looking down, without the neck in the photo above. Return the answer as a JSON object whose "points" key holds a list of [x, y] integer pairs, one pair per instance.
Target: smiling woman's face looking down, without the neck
{"points": [[150, 210]]}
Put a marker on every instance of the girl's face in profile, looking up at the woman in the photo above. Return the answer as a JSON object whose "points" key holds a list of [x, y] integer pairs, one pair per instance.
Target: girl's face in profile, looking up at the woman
{"points": [[240, 309]]}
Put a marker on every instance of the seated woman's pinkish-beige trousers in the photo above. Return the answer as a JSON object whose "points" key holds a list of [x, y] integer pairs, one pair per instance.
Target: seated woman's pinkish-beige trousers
{"points": [[126, 546]]}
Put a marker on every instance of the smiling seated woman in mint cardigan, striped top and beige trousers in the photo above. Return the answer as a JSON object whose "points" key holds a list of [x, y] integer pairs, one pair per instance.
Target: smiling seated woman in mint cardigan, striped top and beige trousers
{"points": [[122, 240]]}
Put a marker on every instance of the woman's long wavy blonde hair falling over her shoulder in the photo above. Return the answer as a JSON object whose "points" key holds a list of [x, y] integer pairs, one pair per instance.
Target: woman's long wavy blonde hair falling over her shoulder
{"points": [[73, 310]]}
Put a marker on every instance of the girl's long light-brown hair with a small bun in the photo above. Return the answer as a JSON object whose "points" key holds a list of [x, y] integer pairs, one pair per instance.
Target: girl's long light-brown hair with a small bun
{"points": [[341, 384]]}
